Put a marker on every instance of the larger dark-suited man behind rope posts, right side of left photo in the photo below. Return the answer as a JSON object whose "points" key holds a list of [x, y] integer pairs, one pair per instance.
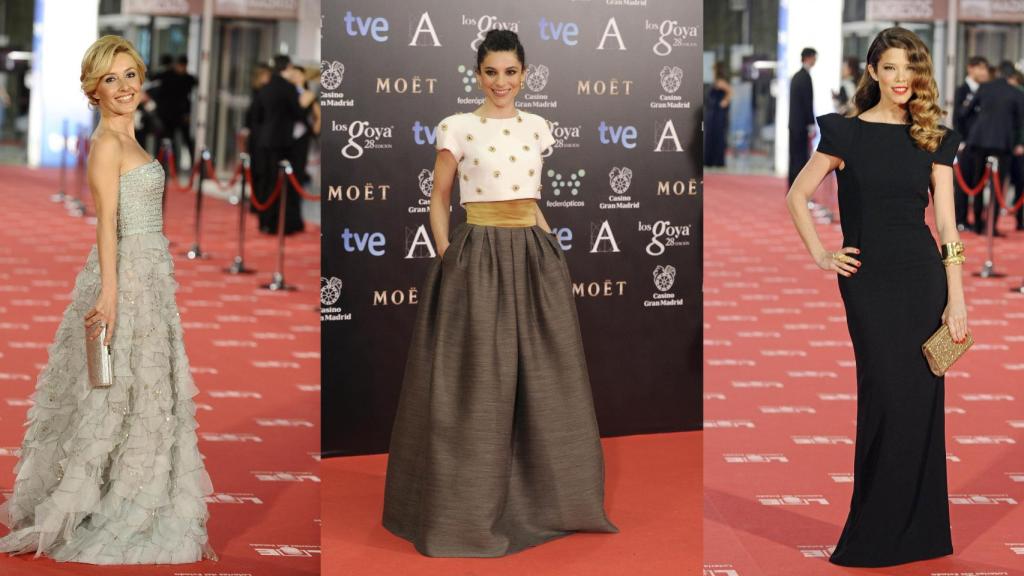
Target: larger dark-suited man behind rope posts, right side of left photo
{"points": [[275, 113]]}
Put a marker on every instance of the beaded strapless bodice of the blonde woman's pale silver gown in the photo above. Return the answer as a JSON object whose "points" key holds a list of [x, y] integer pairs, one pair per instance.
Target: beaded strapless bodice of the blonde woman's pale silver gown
{"points": [[141, 200]]}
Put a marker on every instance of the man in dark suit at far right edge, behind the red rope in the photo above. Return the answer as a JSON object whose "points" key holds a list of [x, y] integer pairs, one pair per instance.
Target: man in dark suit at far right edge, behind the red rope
{"points": [[997, 118]]}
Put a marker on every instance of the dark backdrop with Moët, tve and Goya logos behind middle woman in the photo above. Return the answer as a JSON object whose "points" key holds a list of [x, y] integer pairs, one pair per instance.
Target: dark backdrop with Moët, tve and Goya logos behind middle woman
{"points": [[620, 84]]}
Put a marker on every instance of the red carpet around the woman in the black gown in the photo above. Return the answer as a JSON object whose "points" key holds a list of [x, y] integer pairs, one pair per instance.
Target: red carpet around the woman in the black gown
{"points": [[781, 401]]}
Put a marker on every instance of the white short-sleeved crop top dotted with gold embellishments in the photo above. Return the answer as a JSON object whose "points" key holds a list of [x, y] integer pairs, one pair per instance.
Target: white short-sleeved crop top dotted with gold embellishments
{"points": [[499, 158]]}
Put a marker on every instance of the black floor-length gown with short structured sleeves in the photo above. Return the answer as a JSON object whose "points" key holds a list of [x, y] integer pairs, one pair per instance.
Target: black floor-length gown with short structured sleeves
{"points": [[900, 512]]}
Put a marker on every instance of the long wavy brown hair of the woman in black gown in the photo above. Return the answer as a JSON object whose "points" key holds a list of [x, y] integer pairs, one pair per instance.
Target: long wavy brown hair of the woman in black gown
{"points": [[923, 109]]}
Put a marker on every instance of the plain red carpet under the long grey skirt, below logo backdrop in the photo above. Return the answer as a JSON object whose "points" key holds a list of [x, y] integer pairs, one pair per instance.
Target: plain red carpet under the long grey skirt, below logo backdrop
{"points": [[653, 495]]}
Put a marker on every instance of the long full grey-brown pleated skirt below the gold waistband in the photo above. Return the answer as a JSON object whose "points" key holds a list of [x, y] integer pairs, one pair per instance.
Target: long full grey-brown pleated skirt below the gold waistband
{"points": [[495, 446]]}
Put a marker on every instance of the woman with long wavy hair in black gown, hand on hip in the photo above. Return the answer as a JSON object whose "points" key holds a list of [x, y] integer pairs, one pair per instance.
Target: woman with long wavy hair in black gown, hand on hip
{"points": [[898, 292]]}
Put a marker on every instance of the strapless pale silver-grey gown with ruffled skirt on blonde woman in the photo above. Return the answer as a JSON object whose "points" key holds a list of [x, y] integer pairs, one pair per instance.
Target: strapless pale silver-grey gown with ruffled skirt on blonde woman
{"points": [[114, 476]]}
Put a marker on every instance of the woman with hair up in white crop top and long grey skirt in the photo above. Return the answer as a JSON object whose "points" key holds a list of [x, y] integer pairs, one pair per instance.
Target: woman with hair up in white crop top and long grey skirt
{"points": [[495, 446]]}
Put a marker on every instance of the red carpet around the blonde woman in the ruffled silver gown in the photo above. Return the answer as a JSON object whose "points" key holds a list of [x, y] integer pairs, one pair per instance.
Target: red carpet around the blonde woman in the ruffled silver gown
{"points": [[255, 358]]}
